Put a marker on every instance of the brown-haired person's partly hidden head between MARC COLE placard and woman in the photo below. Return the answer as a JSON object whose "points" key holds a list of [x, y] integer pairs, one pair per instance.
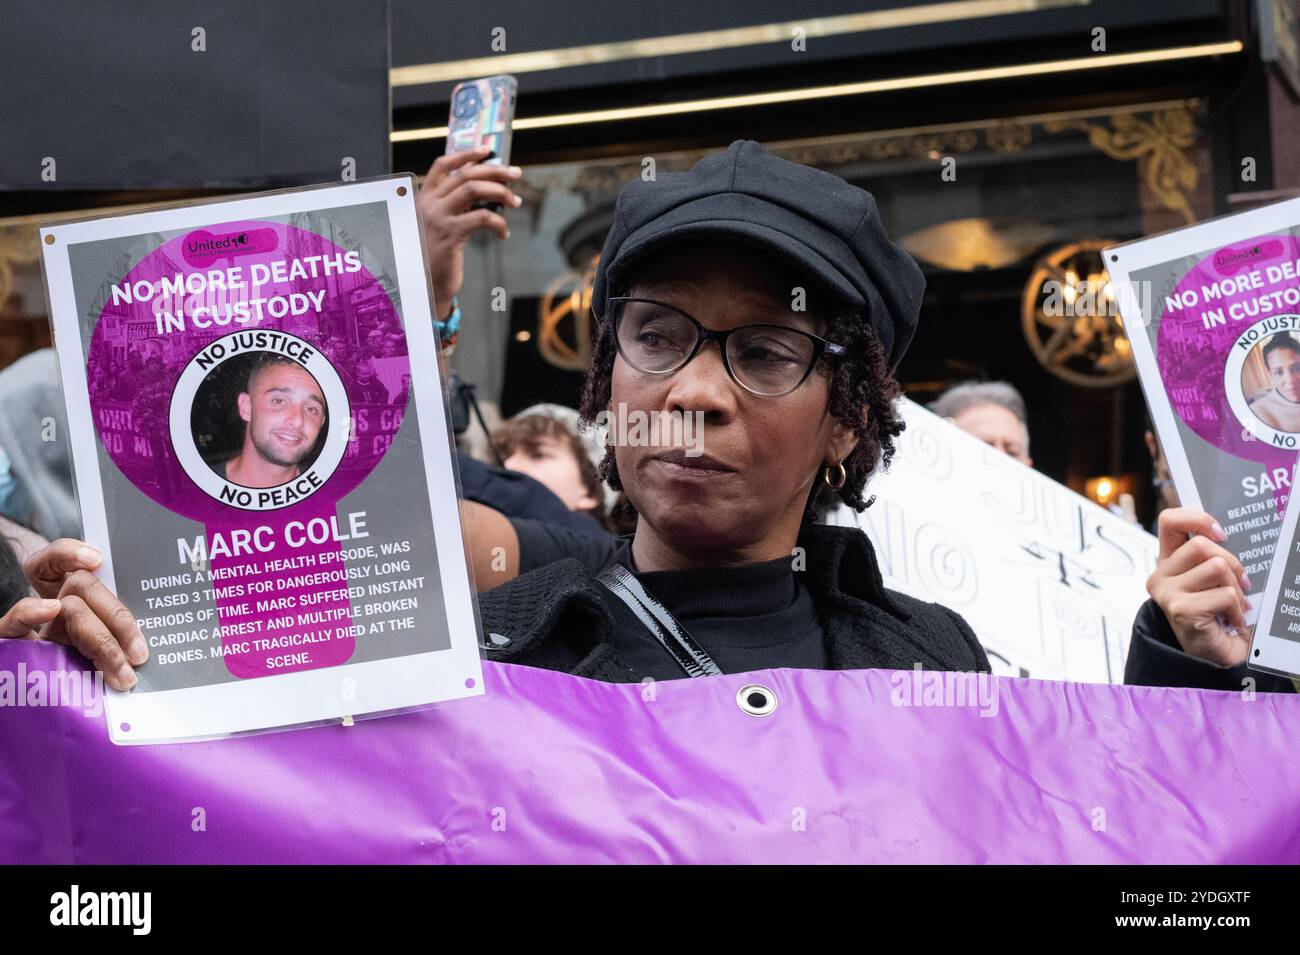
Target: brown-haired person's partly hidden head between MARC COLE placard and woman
{"points": [[544, 448]]}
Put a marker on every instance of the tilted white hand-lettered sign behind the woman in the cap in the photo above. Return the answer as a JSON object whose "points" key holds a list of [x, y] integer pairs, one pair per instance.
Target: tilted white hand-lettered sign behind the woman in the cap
{"points": [[1048, 580]]}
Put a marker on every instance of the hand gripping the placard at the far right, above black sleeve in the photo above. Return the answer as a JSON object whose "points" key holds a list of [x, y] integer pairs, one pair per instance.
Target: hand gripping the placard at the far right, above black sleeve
{"points": [[1199, 585]]}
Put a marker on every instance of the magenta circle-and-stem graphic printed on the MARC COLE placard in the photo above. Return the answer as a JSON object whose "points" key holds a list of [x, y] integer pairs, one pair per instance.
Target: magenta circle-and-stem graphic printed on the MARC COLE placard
{"points": [[253, 288]]}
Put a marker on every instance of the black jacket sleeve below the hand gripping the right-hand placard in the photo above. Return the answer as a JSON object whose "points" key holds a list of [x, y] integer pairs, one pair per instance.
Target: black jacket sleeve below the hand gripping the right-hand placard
{"points": [[1155, 659]]}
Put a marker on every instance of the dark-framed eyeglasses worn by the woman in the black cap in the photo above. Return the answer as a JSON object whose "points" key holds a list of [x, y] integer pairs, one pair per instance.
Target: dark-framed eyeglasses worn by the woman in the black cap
{"points": [[768, 361]]}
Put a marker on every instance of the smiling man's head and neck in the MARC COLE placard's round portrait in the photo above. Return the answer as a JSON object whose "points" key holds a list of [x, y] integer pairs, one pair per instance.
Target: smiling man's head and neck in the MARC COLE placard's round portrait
{"points": [[284, 413]]}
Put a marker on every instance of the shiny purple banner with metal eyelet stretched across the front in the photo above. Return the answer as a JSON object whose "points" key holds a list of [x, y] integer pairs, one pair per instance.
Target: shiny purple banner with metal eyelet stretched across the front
{"points": [[851, 767]]}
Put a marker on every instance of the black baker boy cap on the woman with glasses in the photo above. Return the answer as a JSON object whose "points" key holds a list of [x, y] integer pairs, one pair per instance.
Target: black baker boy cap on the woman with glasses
{"points": [[821, 224]]}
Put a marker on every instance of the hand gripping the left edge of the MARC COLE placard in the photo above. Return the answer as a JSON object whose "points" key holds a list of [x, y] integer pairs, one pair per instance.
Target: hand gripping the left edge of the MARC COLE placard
{"points": [[73, 607]]}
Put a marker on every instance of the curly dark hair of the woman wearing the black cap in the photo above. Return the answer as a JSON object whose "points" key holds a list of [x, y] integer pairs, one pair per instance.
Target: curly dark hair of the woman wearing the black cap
{"points": [[861, 380]]}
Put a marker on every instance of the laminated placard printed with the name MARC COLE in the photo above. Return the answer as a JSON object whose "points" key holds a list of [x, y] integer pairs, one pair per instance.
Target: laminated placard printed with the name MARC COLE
{"points": [[263, 457]]}
